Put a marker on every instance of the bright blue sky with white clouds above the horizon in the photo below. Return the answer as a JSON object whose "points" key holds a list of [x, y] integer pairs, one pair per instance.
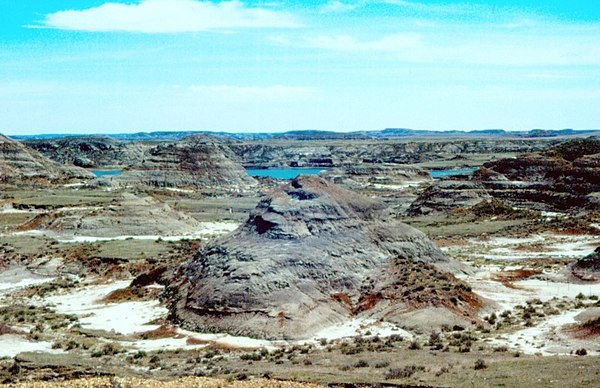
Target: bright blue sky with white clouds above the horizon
{"points": [[116, 66]]}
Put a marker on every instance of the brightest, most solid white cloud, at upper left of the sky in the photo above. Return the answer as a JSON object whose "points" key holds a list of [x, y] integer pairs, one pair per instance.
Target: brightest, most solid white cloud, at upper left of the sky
{"points": [[169, 16]]}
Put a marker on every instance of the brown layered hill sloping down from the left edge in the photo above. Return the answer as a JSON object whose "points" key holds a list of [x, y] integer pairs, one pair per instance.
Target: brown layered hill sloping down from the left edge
{"points": [[20, 164]]}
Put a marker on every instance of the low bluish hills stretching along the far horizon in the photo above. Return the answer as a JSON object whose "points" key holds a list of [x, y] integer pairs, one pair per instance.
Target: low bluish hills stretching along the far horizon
{"points": [[314, 134]]}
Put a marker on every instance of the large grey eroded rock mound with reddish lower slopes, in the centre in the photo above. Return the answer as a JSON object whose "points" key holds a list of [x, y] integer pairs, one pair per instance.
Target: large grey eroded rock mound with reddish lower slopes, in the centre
{"points": [[310, 256]]}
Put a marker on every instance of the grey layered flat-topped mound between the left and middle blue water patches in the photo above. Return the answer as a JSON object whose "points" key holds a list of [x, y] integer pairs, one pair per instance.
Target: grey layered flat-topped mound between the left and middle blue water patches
{"points": [[199, 162]]}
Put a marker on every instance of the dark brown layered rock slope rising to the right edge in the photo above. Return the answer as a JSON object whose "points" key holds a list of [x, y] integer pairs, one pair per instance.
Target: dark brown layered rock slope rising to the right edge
{"points": [[565, 178]]}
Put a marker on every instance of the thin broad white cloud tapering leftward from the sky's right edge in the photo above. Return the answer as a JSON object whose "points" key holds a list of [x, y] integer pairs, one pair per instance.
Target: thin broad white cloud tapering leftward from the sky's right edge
{"points": [[472, 45]]}
